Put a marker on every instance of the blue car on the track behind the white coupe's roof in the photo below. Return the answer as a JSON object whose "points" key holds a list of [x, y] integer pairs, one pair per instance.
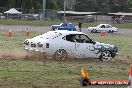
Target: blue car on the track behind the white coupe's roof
{"points": [[64, 26]]}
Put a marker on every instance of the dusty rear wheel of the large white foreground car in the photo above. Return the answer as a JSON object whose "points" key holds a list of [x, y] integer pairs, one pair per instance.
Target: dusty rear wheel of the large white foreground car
{"points": [[60, 55]]}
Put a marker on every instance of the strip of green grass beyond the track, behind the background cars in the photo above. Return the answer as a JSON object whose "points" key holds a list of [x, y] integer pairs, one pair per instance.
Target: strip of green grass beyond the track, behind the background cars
{"points": [[49, 23]]}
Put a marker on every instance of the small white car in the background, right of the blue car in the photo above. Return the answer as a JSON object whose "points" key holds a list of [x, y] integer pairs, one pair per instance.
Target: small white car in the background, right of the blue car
{"points": [[103, 27]]}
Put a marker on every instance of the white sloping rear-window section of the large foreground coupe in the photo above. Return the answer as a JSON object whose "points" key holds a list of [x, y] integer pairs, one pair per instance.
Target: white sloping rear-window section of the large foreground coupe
{"points": [[49, 35]]}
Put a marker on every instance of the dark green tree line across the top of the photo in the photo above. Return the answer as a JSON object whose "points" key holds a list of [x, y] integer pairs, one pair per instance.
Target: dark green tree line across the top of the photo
{"points": [[104, 6]]}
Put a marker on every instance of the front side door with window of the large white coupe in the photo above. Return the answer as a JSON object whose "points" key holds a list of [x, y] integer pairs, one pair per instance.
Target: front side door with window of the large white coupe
{"points": [[84, 46]]}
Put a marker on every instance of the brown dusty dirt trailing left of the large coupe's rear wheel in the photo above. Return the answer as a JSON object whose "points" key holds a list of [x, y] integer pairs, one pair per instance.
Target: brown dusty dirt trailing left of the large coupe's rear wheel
{"points": [[22, 55]]}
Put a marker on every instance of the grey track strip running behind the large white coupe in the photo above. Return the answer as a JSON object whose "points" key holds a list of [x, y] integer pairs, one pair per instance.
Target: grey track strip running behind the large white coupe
{"points": [[47, 28]]}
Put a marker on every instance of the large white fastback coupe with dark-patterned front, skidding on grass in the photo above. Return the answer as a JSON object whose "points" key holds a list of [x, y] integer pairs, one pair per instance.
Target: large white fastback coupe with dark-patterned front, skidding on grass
{"points": [[62, 44]]}
